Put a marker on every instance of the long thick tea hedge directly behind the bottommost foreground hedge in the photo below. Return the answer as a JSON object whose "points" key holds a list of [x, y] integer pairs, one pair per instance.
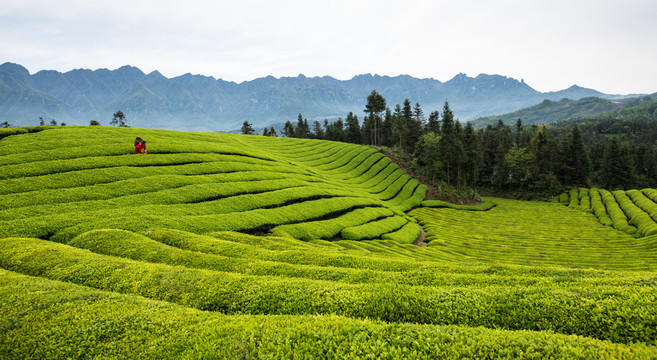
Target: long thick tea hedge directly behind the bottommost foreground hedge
{"points": [[603, 314]]}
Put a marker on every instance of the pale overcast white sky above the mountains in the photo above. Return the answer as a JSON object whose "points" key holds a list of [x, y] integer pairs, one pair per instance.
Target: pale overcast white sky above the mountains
{"points": [[610, 46]]}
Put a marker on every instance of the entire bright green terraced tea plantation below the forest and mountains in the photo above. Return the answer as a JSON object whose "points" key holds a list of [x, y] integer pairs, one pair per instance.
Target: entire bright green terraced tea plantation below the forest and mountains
{"points": [[229, 246]]}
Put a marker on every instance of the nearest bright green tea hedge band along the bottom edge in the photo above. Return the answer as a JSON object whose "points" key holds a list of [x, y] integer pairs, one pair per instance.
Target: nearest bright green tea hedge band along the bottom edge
{"points": [[112, 325]]}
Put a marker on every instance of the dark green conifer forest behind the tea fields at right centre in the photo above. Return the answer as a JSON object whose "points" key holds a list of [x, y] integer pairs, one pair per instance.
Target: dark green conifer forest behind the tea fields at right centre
{"points": [[611, 150]]}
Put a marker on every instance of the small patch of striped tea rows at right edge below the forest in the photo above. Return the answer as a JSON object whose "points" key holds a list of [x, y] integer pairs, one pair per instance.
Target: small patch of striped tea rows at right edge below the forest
{"points": [[632, 211]]}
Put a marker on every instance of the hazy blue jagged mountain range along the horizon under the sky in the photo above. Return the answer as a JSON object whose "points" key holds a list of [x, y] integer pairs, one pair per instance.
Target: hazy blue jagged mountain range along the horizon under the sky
{"points": [[201, 103]]}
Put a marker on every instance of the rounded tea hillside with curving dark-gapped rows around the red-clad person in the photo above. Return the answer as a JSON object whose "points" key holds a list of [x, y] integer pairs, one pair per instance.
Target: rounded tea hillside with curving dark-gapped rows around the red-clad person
{"points": [[199, 183]]}
